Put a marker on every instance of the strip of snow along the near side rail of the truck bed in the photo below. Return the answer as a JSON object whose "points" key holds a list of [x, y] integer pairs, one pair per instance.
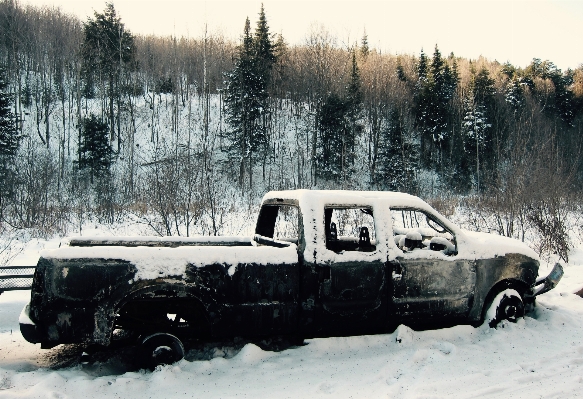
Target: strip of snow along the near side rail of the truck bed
{"points": [[159, 262]]}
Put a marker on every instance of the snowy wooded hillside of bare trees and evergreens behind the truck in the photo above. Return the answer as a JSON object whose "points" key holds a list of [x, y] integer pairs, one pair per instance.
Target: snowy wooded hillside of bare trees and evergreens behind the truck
{"points": [[184, 135]]}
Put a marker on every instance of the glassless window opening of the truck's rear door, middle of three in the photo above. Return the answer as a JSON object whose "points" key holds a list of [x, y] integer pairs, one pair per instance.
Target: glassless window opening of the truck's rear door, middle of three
{"points": [[349, 229]]}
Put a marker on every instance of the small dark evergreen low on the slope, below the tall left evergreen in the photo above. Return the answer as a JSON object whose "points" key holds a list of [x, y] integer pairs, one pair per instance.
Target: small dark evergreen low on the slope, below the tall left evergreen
{"points": [[95, 153]]}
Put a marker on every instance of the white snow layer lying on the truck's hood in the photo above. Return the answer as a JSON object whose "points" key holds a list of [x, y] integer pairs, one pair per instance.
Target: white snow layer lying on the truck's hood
{"points": [[475, 245]]}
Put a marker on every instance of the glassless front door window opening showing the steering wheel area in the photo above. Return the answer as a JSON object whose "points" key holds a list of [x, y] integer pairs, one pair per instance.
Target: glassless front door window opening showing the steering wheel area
{"points": [[415, 230]]}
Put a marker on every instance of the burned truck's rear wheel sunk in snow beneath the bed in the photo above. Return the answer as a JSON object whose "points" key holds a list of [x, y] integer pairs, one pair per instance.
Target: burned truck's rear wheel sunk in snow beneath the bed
{"points": [[161, 348]]}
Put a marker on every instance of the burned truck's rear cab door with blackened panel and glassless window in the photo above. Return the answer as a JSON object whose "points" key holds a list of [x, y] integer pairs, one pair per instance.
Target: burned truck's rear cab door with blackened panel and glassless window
{"points": [[351, 275]]}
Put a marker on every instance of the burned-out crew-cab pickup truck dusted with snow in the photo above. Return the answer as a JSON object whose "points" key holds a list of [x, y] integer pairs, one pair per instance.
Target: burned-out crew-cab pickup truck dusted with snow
{"points": [[321, 263]]}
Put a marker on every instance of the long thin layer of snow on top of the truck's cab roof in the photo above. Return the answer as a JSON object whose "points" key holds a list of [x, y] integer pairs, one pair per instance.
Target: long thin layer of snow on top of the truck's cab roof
{"points": [[392, 198]]}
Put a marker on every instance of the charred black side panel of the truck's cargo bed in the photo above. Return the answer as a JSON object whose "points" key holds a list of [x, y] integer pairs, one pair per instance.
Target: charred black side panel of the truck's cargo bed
{"points": [[84, 300]]}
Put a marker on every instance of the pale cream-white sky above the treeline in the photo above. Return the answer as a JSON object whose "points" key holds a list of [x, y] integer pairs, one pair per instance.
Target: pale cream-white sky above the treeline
{"points": [[503, 30]]}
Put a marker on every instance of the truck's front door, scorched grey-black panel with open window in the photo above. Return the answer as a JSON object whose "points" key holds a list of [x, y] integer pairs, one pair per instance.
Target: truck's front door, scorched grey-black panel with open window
{"points": [[428, 280]]}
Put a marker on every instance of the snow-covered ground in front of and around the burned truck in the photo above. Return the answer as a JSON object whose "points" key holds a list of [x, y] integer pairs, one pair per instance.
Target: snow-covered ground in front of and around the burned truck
{"points": [[540, 356]]}
